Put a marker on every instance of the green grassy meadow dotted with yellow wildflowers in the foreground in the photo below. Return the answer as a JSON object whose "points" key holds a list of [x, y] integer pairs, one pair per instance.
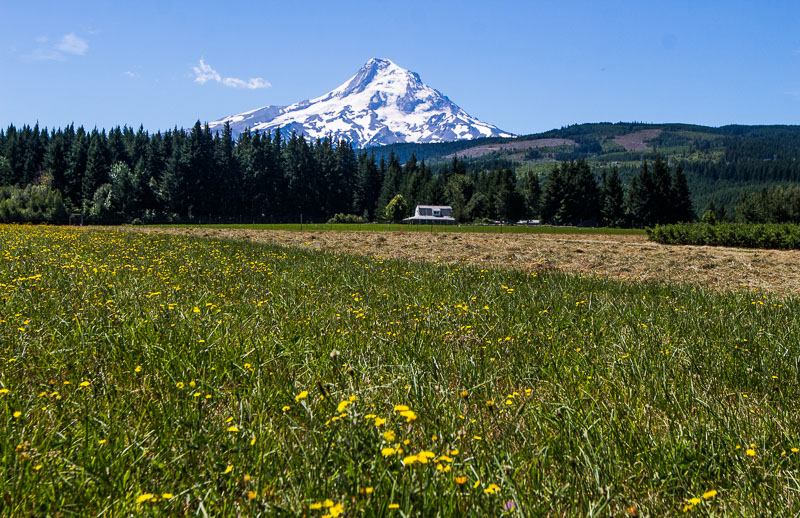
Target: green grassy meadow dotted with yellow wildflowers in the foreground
{"points": [[151, 374]]}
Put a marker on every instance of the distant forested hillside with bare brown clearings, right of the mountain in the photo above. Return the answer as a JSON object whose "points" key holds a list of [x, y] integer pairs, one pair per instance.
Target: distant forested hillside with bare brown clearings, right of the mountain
{"points": [[721, 163]]}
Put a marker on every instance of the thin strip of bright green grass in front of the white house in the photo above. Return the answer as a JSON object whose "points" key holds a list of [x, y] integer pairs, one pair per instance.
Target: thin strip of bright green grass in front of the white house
{"points": [[394, 227]]}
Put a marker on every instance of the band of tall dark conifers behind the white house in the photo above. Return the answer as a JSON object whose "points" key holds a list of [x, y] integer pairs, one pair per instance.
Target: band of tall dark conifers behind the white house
{"points": [[195, 176]]}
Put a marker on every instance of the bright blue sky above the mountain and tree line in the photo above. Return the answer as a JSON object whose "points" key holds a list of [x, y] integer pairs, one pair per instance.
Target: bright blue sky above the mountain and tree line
{"points": [[523, 66]]}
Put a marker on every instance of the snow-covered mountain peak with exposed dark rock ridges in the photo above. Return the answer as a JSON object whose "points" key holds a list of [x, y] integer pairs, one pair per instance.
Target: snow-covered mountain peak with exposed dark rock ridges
{"points": [[381, 104]]}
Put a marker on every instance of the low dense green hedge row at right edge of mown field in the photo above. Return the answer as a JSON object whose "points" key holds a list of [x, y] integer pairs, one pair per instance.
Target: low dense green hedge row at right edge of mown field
{"points": [[745, 235]]}
